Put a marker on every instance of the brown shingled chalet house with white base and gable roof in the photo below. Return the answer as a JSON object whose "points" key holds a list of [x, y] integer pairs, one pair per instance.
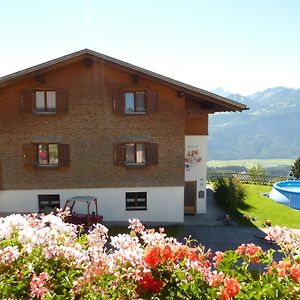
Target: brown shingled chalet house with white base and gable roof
{"points": [[89, 124]]}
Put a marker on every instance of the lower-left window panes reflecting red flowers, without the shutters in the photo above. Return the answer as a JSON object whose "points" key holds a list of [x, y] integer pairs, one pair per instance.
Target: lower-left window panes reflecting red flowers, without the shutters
{"points": [[47, 154]]}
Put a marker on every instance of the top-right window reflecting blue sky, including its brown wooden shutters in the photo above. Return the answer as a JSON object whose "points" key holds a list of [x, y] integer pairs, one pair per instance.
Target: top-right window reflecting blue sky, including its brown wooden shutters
{"points": [[135, 102]]}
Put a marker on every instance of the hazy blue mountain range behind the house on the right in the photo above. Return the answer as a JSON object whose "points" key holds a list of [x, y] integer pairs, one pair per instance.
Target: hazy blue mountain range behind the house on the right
{"points": [[269, 129]]}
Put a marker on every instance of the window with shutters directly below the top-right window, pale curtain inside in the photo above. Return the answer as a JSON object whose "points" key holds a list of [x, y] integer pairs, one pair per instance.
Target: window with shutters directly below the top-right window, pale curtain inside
{"points": [[135, 154]]}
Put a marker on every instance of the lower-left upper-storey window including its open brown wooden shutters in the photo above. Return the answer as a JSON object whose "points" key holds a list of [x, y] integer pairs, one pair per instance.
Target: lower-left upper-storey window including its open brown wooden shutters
{"points": [[46, 155]]}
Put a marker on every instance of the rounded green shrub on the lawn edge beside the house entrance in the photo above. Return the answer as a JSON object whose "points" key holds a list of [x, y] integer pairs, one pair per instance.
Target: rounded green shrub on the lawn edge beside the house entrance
{"points": [[229, 193]]}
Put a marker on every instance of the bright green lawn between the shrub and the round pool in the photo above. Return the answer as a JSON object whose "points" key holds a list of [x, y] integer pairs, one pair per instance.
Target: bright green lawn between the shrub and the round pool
{"points": [[262, 208]]}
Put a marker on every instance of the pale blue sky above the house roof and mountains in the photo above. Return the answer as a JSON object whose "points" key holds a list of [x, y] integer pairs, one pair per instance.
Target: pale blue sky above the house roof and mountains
{"points": [[242, 45]]}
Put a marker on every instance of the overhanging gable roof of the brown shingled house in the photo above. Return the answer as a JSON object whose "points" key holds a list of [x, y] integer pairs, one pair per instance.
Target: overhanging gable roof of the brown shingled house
{"points": [[218, 103]]}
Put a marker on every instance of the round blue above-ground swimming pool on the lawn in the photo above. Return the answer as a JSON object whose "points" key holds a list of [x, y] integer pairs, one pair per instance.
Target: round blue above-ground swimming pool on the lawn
{"points": [[287, 193]]}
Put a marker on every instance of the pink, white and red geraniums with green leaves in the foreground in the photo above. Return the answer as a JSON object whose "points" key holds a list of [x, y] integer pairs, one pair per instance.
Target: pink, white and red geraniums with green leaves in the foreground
{"points": [[45, 258]]}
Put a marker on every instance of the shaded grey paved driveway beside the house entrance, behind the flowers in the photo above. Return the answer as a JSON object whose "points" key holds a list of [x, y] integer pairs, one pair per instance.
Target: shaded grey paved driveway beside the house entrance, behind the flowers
{"points": [[209, 230]]}
